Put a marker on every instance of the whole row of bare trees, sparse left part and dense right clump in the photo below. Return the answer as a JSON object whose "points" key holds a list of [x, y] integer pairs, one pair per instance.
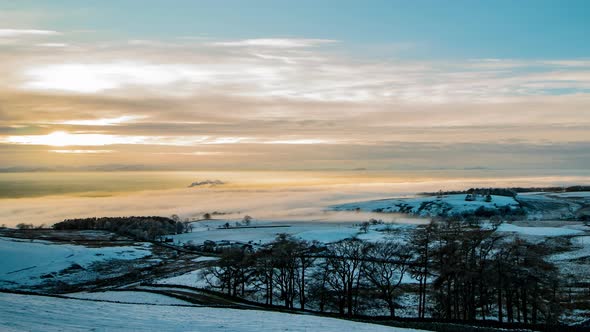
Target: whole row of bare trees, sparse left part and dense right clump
{"points": [[461, 272]]}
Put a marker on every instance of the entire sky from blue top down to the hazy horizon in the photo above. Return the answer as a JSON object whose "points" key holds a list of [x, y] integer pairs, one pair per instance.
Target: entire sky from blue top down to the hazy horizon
{"points": [[295, 85]]}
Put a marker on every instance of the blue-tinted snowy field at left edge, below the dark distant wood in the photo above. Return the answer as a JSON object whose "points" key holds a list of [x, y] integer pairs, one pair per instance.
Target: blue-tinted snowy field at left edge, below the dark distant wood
{"points": [[24, 262]]}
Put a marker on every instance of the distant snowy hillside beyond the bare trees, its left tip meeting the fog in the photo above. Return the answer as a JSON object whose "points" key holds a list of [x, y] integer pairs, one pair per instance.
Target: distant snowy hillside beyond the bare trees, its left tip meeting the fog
{"points": [[429, 205]]}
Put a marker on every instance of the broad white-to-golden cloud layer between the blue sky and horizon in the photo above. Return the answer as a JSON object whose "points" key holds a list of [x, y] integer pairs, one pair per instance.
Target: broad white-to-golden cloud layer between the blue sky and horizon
{"points": [[274, 103]]}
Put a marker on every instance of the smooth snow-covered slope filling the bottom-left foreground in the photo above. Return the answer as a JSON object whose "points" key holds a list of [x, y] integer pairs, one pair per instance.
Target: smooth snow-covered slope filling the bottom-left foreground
{"points": [[37, 313]]}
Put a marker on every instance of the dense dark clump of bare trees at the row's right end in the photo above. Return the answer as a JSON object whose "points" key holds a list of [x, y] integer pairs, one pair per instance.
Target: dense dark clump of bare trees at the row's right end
{"points": [[476, 273]]}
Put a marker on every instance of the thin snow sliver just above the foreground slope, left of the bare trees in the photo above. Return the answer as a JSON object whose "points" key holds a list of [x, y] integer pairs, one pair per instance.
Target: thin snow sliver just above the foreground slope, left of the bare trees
{"points": [[129, 297]]}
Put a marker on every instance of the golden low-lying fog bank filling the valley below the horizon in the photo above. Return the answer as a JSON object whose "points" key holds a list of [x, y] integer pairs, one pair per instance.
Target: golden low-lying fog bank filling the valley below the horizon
{"points": [[265, 196]]}
